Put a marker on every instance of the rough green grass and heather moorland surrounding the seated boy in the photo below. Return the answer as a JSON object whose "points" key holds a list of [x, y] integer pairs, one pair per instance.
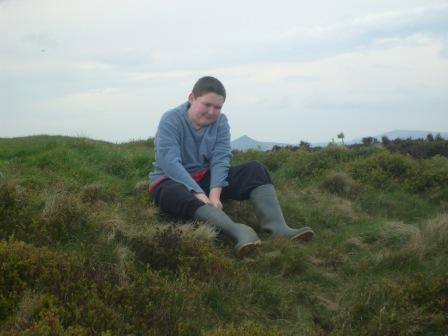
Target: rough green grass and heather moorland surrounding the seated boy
{"points": [[83, 251]]}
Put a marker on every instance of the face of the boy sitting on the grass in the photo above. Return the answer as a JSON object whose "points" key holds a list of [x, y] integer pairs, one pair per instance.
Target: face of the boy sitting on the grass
{"points": [[205, 109]]}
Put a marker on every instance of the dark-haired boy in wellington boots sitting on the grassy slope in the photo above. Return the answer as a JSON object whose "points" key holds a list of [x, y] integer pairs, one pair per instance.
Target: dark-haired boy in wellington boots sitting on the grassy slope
{"points": [[192, 171]]}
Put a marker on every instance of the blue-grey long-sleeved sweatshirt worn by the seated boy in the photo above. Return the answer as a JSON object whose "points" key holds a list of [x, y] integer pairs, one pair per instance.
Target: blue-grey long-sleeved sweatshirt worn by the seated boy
{"points": [[181, 150]]}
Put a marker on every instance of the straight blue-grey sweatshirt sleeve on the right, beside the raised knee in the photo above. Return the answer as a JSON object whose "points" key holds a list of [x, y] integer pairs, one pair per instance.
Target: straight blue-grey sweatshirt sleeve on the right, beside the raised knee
{"points": [[221, 155]]}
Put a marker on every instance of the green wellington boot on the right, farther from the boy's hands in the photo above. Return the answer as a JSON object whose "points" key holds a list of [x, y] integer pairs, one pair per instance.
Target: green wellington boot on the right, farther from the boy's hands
{"points": [[270, 215]]}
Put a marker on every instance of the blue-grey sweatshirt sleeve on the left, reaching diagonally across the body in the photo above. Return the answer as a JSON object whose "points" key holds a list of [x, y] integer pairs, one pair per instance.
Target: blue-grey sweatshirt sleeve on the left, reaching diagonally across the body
{"points": [[168, 151]]}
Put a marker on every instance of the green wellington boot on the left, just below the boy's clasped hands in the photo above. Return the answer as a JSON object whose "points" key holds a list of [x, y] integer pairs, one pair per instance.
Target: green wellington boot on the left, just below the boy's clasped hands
{"points": [[246, 238]]}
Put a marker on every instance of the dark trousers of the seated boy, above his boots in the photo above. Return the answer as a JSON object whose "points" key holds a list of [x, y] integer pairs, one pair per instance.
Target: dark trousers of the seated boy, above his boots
{"points": [[174, 199]]}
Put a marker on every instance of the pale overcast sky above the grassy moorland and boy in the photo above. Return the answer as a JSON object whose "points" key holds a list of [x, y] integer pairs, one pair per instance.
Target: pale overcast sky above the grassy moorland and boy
{"points": [[294, 70]]}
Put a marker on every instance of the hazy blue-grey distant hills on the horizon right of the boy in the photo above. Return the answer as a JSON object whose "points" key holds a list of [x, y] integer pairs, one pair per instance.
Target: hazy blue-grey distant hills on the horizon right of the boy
{"points": [[245, 142]]}
